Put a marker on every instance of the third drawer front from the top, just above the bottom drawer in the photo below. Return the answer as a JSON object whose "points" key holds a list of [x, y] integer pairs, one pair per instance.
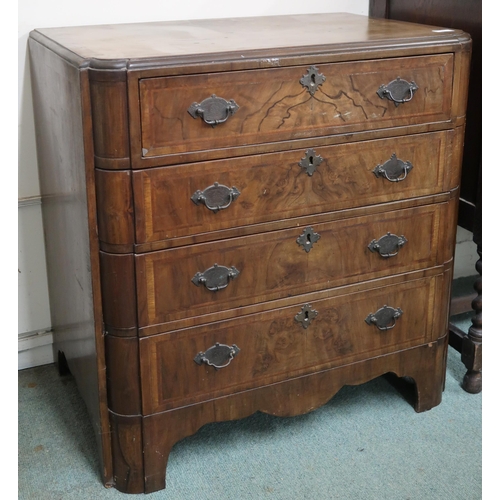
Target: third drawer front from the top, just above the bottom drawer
{"points": [[273, 265]]}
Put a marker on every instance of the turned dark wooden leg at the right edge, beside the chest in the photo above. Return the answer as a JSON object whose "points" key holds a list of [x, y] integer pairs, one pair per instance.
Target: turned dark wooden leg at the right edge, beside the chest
{"points": [[472, 347]]}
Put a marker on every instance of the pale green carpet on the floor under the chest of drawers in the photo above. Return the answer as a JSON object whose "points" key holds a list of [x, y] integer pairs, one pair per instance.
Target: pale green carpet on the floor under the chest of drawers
{"points": [[366, 443]]}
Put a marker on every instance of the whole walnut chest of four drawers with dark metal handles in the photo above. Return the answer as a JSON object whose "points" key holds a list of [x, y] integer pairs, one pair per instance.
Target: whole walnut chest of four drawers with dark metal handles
{"points": [[245, 215]]}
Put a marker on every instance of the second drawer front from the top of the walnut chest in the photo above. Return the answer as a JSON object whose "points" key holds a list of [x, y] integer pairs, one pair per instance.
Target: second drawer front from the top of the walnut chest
{"points": [[184, 200]]}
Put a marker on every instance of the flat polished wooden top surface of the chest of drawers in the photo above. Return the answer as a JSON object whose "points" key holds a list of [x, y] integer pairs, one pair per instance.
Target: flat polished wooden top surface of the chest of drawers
{"points": [[211, 36]]}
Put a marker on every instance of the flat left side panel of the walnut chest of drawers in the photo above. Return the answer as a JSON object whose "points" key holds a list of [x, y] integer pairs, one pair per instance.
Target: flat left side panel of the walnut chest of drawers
{"points": [[65, 150]]}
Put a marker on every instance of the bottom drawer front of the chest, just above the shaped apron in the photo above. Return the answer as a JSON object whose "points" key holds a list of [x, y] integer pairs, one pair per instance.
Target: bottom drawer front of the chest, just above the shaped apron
{"points": [[274, 345]]}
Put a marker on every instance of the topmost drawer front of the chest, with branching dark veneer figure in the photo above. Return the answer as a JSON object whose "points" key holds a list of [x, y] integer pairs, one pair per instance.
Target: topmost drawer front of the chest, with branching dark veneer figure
{"points": [[273, 105]]}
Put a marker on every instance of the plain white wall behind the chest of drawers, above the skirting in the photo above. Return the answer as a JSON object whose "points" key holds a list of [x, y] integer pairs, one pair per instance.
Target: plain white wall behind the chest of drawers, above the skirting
{"points": [[33, 308]]}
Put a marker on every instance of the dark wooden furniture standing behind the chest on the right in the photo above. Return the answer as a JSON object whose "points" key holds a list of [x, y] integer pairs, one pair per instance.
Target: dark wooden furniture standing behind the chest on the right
{"points": [[465, 15]]}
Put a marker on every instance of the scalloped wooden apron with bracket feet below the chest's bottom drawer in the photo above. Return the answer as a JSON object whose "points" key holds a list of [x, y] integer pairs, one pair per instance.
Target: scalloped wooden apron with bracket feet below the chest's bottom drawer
{"points": [[424, 364]]}
